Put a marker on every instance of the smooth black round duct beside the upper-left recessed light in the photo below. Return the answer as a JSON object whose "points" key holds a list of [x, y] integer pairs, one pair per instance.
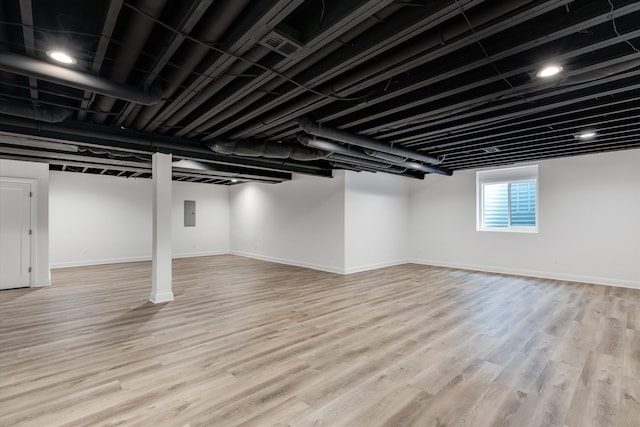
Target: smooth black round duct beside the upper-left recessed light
{"points": [[32, 67]]}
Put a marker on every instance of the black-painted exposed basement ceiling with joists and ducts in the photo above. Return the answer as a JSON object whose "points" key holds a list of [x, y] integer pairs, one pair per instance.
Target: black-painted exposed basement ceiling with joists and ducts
{"points": [[255, 90]]}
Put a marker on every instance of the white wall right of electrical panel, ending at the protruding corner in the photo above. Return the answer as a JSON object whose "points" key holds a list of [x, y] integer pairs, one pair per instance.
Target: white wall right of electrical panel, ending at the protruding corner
{"points": [[300, 222]]}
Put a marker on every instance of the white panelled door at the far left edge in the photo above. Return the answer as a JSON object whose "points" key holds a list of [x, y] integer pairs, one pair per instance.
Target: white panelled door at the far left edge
{"points": [[15, 234]]}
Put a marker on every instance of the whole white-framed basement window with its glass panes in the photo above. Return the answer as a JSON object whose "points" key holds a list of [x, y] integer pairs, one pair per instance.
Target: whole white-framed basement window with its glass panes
{"points": [[507, 200]]}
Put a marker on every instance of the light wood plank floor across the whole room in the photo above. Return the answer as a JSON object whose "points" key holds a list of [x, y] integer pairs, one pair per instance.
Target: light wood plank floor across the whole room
{"points": [[252, 343]]}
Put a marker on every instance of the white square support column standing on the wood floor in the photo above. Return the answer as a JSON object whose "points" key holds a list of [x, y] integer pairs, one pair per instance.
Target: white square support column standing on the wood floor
{"points": [[162, 250]]}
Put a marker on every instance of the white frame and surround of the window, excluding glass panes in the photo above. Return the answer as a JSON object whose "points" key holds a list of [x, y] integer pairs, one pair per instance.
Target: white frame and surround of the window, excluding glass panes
{"points": [[506, 176]]}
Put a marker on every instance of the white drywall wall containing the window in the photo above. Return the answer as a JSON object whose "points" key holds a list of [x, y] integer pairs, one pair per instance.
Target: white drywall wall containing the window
{"points": [[588, 223]]}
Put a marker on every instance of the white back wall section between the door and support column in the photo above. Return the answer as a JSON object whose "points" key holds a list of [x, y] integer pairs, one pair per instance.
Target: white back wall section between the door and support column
{"points": [[98, 219]]}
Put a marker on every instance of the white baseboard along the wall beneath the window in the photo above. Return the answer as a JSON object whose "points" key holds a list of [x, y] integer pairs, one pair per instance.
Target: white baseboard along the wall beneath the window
{"points": [[533, 273]]}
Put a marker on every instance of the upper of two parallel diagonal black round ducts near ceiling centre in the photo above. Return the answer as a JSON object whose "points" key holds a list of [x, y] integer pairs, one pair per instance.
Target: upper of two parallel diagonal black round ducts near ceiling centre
{"points": [[362, 141]]}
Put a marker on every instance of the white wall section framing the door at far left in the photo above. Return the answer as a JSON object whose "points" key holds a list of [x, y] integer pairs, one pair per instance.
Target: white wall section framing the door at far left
{"points": [[38, 175]]}
